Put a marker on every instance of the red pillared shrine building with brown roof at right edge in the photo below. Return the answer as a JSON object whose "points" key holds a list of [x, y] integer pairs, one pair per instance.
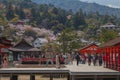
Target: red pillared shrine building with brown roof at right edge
{"points": [[111, 50]]}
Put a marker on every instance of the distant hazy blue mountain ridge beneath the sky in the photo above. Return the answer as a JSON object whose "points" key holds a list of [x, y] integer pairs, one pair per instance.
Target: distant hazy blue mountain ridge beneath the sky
{"points": [[75, 5]]}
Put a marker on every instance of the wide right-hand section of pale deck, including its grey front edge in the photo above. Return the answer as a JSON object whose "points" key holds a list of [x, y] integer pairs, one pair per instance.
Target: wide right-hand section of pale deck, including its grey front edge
{"points": [[84, 69]]}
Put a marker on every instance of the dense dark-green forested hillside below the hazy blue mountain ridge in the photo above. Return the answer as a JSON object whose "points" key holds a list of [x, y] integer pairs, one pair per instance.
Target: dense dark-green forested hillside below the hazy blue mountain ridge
{"points": [[53, 18]]}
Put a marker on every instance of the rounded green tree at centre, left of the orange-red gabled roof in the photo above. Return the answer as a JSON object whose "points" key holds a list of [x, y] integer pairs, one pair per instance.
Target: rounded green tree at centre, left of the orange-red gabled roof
{"points": [[68, 40]]}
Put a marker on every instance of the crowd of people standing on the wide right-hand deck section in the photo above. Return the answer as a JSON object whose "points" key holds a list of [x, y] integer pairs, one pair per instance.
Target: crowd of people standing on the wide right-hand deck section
{"points": [[96, 59]]}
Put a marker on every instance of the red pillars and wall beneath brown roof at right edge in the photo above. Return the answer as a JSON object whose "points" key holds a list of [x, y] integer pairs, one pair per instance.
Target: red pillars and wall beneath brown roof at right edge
{"points": [[112, 57]]}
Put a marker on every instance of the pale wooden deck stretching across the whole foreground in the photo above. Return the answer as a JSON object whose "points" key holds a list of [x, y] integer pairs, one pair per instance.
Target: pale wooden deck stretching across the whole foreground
{"points": [[82, 68]]}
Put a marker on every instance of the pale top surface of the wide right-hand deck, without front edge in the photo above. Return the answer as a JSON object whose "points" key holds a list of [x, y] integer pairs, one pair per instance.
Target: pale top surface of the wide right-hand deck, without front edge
{"points": [[86, 68]]}
